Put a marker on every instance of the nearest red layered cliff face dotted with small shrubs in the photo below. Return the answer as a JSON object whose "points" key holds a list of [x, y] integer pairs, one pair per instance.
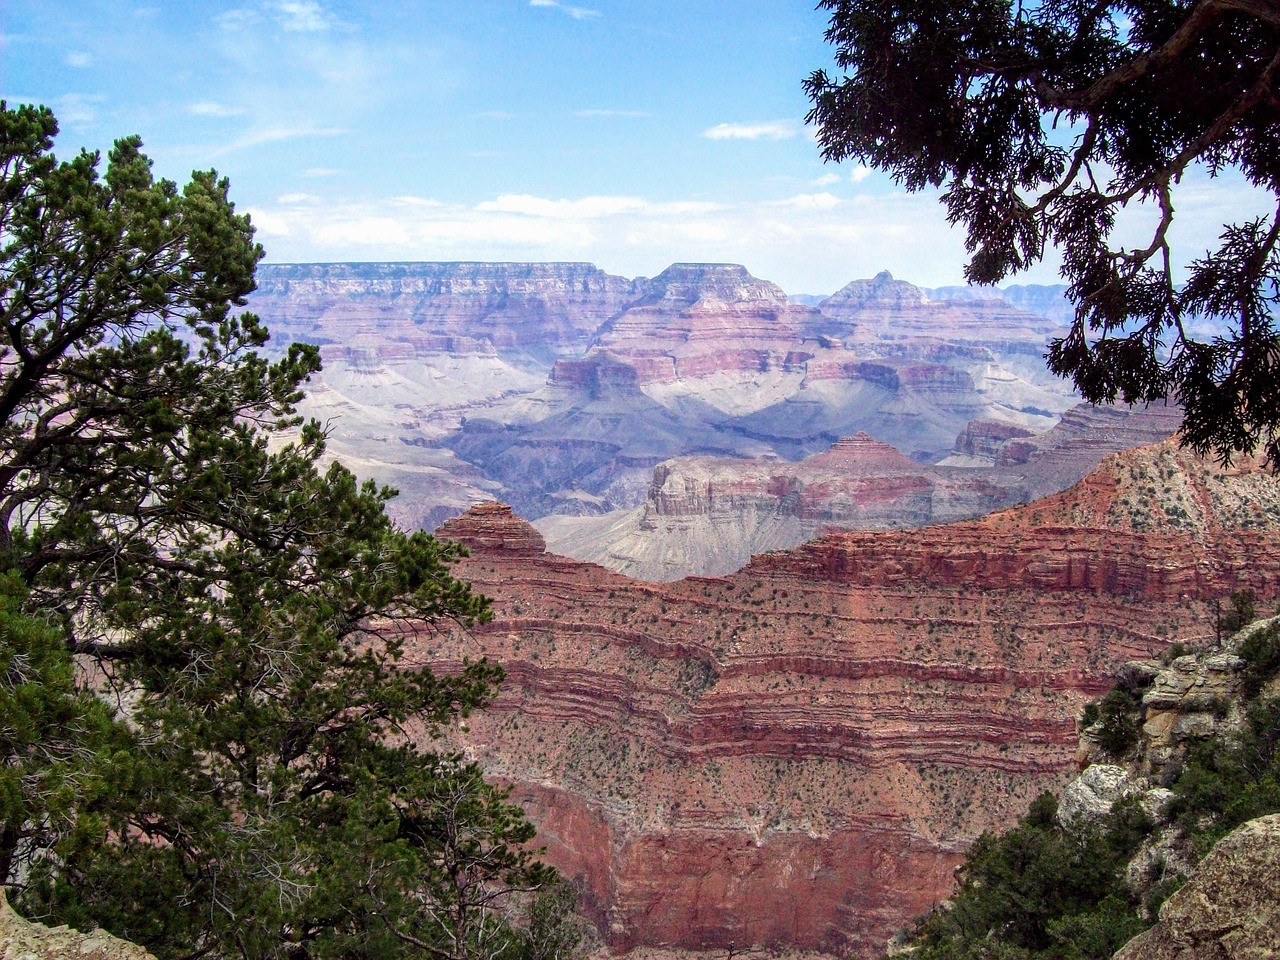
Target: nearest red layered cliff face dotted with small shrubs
{"points": [[798, 755]]}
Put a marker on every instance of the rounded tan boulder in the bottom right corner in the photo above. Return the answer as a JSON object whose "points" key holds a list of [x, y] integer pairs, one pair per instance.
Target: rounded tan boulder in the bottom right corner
{"points": [[1229, 911]]}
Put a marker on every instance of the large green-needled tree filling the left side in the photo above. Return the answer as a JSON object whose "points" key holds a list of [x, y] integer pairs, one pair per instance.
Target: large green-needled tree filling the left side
{"points": [[263, 789]]}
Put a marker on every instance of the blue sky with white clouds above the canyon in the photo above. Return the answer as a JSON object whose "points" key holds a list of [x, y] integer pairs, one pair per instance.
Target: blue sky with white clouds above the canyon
{"points": [[625, 134]]}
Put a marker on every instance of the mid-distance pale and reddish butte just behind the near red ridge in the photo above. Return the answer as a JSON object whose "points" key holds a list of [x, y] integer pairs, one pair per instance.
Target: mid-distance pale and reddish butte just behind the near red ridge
{"points": [[710, 515]]}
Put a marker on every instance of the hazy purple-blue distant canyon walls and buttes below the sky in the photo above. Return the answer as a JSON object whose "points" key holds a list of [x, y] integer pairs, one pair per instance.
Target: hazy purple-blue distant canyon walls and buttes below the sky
{"points": [[569, 392]]}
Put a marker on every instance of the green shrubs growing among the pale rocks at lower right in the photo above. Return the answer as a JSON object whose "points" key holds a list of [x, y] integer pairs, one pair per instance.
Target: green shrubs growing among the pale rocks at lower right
{"points": [[1039, 892]]}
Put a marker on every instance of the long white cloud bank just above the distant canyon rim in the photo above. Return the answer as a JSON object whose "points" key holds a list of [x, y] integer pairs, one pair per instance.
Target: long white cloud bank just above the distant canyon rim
{"points": [[808, 244]]}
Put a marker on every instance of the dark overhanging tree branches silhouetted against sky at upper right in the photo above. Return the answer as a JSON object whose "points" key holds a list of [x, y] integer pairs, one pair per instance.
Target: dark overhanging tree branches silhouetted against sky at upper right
{"points": [[1043, 124]]}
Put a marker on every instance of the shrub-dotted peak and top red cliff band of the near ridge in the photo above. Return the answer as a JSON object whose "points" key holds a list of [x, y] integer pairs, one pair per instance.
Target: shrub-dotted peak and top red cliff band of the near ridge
{"points": [[1188, 529]]}
